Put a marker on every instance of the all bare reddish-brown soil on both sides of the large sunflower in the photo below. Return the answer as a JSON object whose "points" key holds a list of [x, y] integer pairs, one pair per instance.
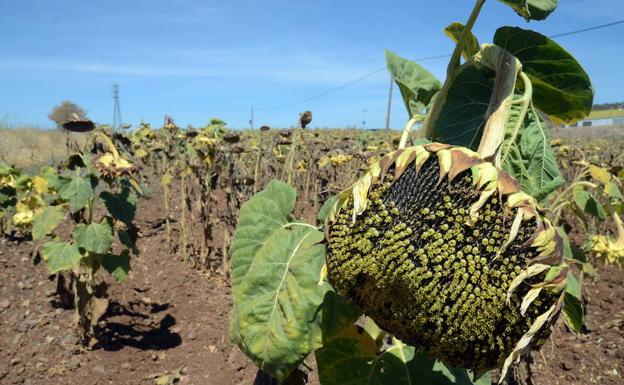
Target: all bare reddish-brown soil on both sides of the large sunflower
{"points": [[168, 324]]}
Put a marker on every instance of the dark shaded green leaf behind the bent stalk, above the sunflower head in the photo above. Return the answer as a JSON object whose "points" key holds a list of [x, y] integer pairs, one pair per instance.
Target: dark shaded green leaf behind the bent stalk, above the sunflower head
{"points": [[463, 114]]}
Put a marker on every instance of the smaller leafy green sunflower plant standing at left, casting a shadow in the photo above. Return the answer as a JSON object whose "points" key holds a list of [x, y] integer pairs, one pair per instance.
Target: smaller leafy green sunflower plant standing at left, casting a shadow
{"points": [[89, 227]]}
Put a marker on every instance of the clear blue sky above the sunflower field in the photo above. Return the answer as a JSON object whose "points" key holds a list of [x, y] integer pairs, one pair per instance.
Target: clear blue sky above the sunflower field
{"points": [[200, 59]]}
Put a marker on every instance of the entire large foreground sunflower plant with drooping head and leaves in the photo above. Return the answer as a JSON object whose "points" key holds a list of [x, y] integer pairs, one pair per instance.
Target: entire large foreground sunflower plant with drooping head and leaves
{"points": [[443, 261]]}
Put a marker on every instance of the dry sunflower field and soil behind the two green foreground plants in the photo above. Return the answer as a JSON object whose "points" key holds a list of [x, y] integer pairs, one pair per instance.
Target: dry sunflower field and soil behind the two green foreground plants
{"points": [[169, 320]]}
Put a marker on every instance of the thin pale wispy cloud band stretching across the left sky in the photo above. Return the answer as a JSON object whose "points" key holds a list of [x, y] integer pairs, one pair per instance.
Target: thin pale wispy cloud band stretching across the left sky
{"points": [[257, 64]]}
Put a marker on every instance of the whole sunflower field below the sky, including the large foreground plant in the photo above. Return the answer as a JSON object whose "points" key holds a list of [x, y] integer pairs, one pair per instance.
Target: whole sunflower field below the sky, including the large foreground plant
{"points": [[482, 248]]}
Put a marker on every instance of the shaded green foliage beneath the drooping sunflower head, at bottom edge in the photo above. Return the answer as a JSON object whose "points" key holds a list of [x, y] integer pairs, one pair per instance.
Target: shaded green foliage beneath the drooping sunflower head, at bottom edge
{"points": [[351, 357]]}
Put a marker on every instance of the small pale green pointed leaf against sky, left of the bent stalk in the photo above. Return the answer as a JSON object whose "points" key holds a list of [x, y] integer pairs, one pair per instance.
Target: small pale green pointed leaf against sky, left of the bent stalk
{"points": [[417, 85]]}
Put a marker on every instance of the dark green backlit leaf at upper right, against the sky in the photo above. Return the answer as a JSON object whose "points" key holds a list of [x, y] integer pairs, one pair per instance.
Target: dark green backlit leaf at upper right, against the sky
{"points": [[561, 87]]}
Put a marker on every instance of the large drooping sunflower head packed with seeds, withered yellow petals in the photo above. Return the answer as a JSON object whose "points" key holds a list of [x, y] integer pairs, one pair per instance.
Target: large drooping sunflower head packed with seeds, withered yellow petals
{"points": [[444, 251]]}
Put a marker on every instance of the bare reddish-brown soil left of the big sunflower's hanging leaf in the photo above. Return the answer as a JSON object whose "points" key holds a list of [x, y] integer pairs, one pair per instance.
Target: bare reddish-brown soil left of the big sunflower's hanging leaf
{"points": [[168, 319]]}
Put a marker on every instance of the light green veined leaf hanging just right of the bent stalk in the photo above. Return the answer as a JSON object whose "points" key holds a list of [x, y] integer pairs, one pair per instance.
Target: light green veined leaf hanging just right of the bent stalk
{"points": [[527, 155]]}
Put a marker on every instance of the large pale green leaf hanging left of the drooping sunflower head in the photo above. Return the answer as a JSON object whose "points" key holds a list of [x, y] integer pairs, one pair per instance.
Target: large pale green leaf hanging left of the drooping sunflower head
{"points": [[277, 299]]}
